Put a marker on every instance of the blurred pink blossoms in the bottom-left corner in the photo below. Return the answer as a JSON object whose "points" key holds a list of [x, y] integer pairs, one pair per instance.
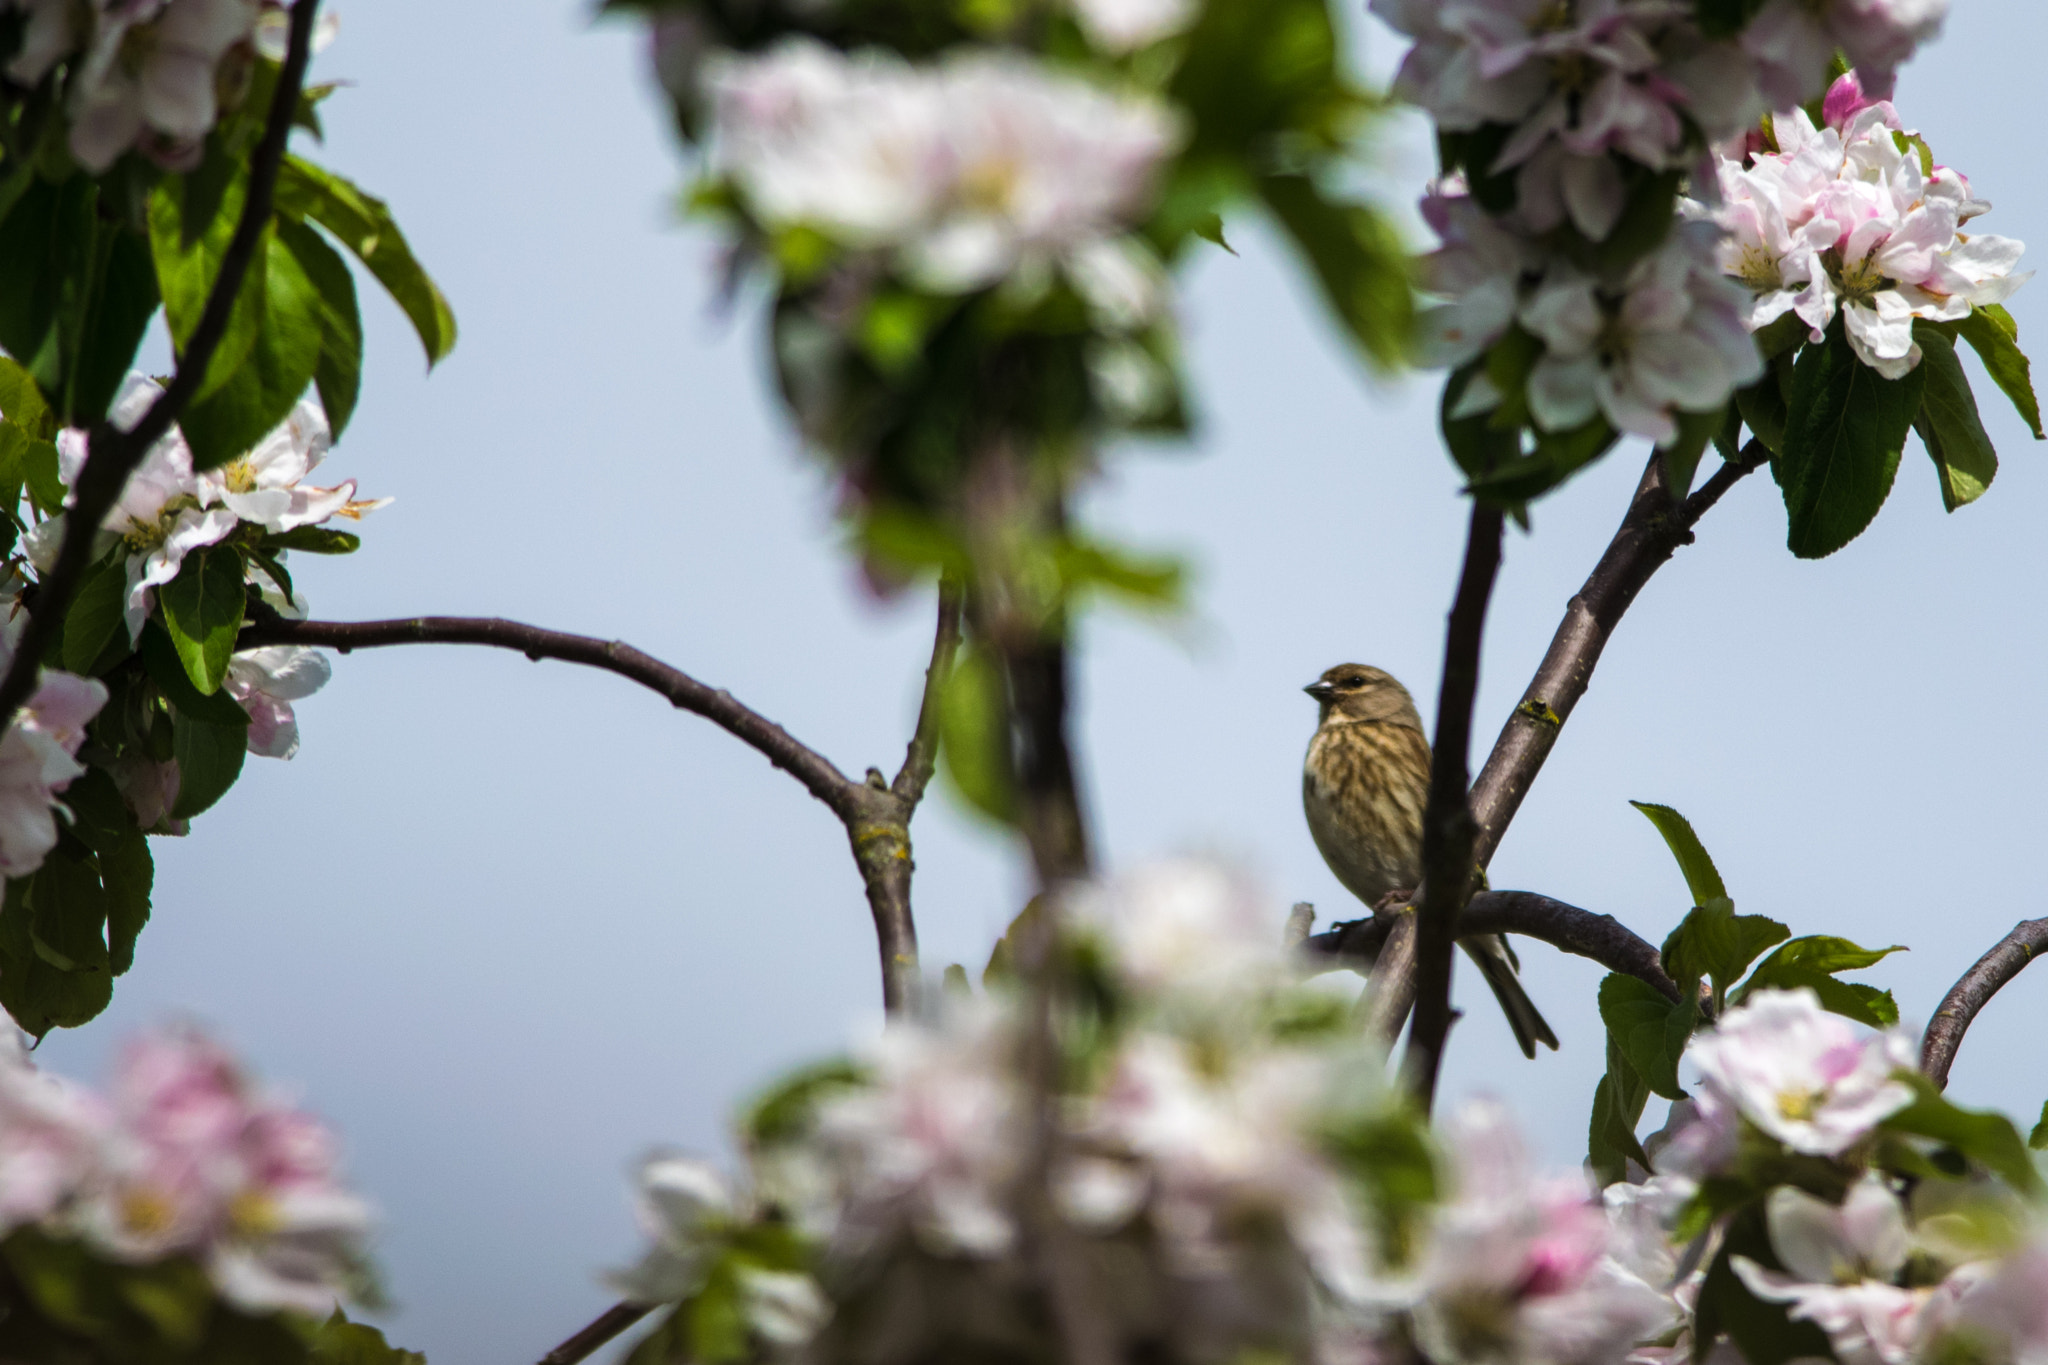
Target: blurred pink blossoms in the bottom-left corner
{"points": [[185, 1157]]}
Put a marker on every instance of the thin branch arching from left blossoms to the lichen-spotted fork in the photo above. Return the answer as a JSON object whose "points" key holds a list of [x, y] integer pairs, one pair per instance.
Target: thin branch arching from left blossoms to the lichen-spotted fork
{"points": [[814, 770]]}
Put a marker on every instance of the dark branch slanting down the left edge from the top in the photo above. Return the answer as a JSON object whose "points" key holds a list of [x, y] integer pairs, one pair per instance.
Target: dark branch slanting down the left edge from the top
{"points": [[112, 453]]}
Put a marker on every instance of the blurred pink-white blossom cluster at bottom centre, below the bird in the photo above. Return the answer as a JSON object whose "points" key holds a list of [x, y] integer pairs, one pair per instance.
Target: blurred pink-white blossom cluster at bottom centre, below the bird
{"points": [[1230, 1174]]}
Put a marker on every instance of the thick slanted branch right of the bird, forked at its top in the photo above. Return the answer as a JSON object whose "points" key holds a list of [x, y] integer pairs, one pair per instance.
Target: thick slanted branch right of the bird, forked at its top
{"points": [[1650, 535]]}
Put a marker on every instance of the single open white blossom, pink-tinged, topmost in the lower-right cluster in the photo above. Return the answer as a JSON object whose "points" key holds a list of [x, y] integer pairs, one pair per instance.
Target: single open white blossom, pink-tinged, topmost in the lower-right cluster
{"points": [[1803, 1075]]}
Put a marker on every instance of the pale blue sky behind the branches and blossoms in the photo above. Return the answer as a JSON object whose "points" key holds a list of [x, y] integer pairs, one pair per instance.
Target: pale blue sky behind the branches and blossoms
{"points": [[513, 924]]}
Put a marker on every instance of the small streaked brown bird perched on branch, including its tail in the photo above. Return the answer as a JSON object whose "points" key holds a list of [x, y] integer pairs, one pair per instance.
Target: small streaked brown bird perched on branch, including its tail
{"points": [[1365, 789]]}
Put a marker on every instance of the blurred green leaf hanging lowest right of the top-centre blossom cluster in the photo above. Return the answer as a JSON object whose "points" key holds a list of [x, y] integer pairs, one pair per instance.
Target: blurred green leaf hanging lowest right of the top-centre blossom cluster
{"points": [[1357, 261]]}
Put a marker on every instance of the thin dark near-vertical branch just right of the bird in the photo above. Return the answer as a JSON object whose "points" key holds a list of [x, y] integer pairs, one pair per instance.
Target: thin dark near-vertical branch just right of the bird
{"points": [[1449, 830]]}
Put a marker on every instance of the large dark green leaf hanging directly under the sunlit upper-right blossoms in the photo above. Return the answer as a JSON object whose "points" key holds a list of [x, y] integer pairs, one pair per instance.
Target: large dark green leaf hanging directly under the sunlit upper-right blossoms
{"points": [[1846, 429]]}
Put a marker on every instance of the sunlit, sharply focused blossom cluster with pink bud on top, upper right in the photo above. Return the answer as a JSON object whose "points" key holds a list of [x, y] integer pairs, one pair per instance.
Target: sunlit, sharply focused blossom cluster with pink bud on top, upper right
{"points": [[1854, 218]]}
